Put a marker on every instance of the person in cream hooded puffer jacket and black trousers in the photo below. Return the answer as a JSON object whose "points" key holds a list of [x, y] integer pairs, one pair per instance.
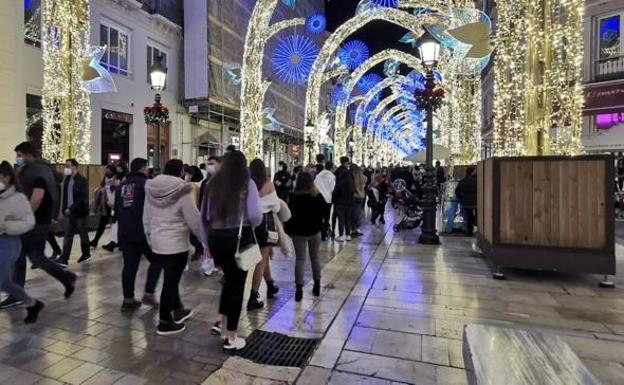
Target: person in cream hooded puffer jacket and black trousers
{"points": [[169, 216]]}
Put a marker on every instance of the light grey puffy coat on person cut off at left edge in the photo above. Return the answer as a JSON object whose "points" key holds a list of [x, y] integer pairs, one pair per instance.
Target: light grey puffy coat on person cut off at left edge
{"points": [[16, 216]]}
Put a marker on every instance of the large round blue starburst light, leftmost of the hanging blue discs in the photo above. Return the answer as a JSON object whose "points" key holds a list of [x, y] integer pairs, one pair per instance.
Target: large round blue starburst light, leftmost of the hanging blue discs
{"points": [[293, 59]]}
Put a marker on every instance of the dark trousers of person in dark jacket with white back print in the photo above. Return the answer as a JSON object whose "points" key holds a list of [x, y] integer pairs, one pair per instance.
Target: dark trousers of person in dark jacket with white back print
{"points": [[132, 253]]}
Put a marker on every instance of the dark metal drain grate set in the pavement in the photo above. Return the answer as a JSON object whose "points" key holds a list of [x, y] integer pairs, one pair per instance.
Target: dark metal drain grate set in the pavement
{"points": [[278, 349]]}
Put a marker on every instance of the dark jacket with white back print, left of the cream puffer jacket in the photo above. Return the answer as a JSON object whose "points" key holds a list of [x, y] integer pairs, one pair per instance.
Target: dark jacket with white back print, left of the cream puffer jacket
{"points": [[129, 204]]}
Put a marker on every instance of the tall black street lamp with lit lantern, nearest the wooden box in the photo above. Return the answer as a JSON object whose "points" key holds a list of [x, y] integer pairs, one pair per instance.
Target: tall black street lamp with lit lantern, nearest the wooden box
{"points": [[429, 50]]}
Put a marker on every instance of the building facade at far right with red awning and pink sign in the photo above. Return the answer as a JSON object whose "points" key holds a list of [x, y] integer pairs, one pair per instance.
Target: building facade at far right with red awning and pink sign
{"points": [[603, 75]]}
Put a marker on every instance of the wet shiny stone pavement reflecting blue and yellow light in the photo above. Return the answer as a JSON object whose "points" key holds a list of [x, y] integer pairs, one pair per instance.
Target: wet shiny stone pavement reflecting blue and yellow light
{"points": [[391, 312]]}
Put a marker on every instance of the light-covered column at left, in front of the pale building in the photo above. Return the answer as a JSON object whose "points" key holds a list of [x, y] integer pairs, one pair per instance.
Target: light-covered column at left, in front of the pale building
{"points": [[65, 101]]}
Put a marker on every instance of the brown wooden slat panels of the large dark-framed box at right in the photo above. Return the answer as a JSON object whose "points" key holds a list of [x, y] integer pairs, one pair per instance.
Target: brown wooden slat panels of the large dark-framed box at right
{"points": [[557, 203]]}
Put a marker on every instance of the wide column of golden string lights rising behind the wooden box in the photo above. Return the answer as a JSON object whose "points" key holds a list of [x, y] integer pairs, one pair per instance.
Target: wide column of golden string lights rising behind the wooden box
{"points": [[538, 83]]}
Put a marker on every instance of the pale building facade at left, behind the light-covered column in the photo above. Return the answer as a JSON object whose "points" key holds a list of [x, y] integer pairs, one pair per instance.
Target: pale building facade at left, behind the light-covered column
{"points": [[135, 34]]}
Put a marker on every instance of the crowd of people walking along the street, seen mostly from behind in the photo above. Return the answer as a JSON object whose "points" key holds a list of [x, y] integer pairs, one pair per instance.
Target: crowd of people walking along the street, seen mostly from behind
{"points": [[219, 210]]}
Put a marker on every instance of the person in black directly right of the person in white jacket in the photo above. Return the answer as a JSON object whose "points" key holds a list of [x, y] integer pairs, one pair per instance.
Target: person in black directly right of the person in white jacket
{"points": [[343, 199]]}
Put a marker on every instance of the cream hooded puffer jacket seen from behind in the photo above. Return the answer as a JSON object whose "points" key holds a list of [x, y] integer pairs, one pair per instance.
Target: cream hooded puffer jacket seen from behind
{"points": [[170, 214]]}
